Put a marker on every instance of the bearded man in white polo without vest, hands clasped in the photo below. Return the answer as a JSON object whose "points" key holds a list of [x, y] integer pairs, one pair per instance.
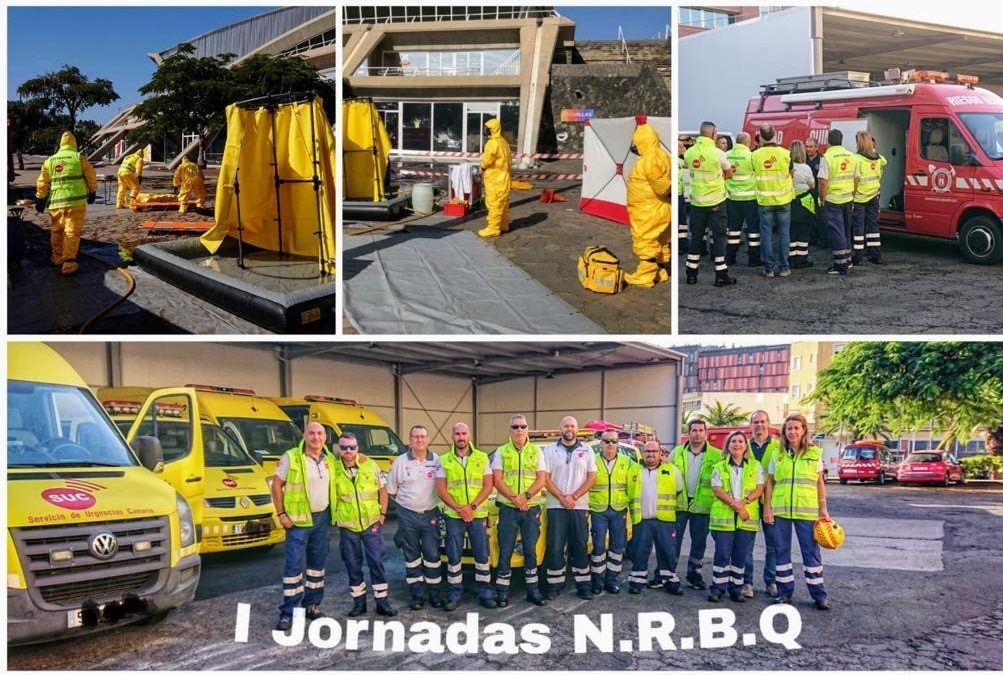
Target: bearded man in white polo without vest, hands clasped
{"points": [[571, 473]]}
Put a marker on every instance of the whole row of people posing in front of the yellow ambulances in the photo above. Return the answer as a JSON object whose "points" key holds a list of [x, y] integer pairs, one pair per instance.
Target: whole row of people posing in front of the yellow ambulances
{"points": [[590, 496]]}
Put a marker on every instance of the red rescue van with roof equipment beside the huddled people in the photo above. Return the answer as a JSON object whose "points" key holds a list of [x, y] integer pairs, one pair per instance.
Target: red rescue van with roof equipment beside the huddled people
{"points": [[942, 137]]}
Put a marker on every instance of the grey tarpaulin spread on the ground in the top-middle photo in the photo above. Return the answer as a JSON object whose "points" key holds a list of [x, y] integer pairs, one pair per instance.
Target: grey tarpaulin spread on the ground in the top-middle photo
{"points": [[445, 282]]}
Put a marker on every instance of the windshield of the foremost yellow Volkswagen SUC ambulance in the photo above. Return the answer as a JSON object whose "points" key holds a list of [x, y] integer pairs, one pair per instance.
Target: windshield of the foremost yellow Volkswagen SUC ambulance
{"points": [[60, 426]]}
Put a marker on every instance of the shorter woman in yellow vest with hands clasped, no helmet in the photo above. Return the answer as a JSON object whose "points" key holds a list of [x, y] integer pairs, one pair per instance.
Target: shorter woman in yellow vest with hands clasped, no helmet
{"points": [[738, 484]]}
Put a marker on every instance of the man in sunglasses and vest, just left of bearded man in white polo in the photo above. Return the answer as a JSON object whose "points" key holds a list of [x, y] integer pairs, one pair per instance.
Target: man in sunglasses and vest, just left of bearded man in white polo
{"points": [[520, 473]]}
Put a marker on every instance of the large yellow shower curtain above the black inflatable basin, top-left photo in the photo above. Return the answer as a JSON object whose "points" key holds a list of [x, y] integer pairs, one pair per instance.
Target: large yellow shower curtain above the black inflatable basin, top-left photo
{"points": [[248, 160]]}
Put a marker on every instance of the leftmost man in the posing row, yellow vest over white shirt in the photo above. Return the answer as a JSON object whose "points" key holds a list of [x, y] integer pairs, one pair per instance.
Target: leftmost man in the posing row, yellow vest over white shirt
{"points": [[304, 498]]}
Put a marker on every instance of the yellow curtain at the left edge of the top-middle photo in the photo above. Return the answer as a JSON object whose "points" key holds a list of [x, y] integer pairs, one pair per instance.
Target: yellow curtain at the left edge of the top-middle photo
{"points": [[367, 151]]}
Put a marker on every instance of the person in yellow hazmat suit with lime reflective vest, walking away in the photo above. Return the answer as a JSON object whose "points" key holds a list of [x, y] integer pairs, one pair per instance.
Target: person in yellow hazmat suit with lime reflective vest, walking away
{"points": [[67, 184]]}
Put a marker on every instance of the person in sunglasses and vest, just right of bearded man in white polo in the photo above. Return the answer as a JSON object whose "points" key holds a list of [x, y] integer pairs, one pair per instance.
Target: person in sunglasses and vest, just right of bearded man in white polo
{"points": [[608, 502]]}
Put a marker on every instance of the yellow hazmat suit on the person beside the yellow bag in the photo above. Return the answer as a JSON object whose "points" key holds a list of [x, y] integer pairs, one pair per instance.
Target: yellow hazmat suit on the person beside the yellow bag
{"points": [[648, 207]]}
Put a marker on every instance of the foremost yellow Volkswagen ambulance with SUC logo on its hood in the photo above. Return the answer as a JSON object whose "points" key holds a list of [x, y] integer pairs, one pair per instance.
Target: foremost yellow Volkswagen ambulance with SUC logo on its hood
{"points": [[96, 539]]}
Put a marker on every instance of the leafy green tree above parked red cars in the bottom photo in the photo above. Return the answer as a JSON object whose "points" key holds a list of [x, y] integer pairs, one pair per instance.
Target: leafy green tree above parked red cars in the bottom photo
{"points": [[956, 387]]}
